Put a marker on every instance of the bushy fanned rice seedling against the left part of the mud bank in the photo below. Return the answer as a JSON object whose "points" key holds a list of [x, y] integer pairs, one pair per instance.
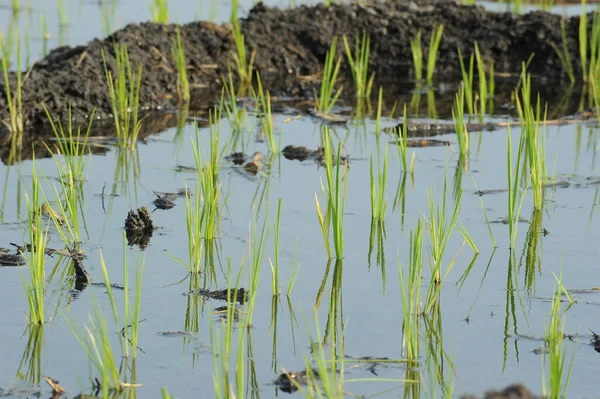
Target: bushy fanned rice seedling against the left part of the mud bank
{"points": [[124, 95]]}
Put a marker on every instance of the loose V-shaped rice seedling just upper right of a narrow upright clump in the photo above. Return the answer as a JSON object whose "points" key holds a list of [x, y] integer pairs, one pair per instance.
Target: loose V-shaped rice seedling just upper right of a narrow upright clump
{"points": [[440, 229]]}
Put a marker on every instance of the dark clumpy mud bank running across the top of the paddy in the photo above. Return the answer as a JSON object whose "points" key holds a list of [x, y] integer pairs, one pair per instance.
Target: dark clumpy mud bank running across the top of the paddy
{"points": [[289, 44]]}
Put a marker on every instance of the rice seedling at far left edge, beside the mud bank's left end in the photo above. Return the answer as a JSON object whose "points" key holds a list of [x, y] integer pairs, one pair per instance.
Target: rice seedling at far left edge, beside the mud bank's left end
{"points": [[14, 101]]}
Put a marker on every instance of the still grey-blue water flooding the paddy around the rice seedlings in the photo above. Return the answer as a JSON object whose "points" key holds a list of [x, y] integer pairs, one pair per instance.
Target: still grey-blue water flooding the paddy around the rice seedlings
{"points": [[494, 306]]}
